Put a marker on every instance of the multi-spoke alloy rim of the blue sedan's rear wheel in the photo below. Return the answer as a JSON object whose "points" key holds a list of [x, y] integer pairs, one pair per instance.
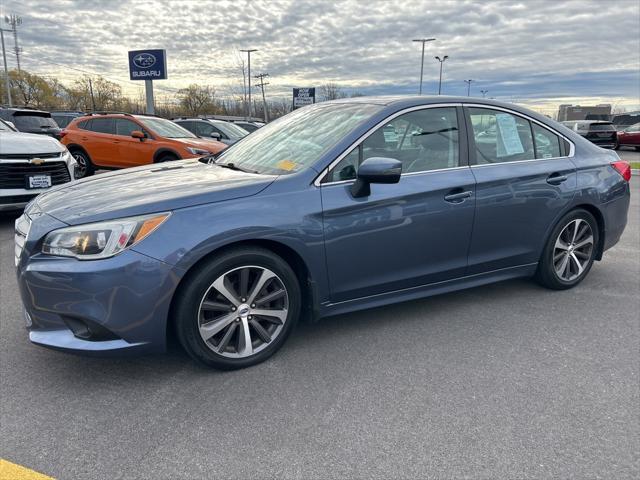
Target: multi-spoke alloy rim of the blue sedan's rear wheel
{"points": [[573, 250]]}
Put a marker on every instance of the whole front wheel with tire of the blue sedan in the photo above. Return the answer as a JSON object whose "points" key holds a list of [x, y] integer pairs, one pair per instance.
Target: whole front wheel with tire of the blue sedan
{"points": [[237, 309]]}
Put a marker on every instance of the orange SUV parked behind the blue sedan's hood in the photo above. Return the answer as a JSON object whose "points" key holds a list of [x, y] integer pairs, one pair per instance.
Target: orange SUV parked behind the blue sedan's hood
{"points": [[120, 140]]}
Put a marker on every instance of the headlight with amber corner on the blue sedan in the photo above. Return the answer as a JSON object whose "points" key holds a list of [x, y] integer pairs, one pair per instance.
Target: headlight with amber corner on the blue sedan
{"points": [[101, 240]]}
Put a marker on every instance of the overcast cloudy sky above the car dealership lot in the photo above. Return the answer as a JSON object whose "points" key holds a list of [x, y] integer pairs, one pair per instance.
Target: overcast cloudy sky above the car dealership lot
{"points": [[533, 51]]}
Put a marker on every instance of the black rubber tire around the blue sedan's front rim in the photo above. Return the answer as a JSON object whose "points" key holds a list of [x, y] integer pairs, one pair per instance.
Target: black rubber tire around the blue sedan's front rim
{"points": [[190, 295]]}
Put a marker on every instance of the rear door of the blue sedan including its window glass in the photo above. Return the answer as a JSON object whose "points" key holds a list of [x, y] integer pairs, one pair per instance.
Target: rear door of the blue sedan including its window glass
{"points": [[524, 180]]}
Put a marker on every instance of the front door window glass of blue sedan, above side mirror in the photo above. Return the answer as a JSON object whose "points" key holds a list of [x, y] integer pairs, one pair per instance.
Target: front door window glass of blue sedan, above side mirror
{"points": [[422, 140]]}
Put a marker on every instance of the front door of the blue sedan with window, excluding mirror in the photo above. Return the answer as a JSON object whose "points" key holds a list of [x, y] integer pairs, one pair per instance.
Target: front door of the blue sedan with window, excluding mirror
{"points": [[407, 234]]}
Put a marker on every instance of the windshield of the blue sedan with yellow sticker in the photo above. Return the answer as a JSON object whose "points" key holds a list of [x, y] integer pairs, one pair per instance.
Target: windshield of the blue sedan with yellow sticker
{"points": [[298, 139]]}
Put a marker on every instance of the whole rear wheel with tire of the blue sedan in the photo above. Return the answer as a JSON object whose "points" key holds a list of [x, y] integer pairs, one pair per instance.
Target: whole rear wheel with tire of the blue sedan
{"points": [[570, 251]]}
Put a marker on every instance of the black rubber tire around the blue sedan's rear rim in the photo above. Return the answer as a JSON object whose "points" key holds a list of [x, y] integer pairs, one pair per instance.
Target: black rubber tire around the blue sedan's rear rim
{"points": [[546, 272]]}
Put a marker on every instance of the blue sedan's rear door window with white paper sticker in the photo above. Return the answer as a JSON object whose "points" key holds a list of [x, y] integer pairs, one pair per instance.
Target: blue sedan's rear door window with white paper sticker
{"points": [[500, 137]]}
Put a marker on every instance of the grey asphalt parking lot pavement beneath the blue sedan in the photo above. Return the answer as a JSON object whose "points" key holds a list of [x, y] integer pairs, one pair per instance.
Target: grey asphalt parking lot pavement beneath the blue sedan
{"points": [[503, 381]]}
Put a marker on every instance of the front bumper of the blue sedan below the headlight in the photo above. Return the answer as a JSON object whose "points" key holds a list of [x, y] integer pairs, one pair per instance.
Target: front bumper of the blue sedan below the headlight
{"points": [[104, 307]]}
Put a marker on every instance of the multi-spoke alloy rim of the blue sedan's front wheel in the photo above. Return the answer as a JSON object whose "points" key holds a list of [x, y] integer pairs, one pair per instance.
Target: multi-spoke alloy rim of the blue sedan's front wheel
{"points": [[243, 311]]}
